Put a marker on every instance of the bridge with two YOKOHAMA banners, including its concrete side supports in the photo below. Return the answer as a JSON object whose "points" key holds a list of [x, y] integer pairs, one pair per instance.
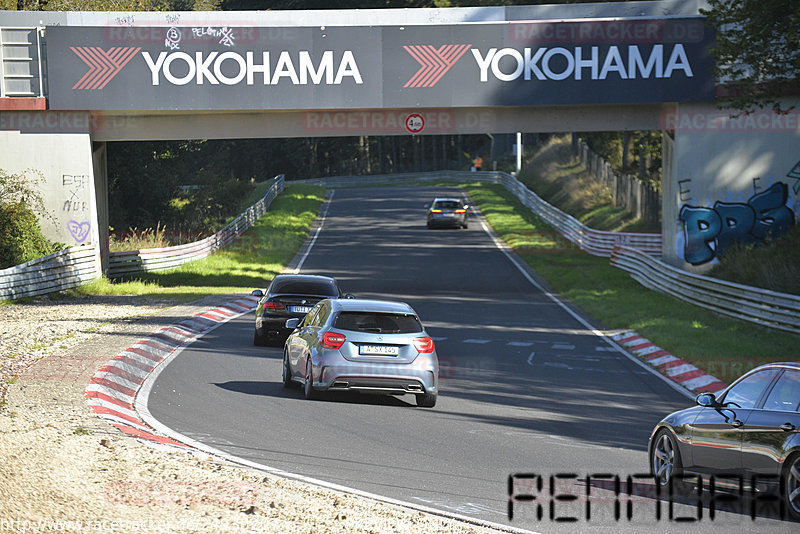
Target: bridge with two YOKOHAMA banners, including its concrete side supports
{"points": [[73, 81]]}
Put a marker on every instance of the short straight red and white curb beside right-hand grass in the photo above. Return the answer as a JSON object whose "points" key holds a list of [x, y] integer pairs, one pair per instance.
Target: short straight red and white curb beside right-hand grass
{"points": [[677, 370]]}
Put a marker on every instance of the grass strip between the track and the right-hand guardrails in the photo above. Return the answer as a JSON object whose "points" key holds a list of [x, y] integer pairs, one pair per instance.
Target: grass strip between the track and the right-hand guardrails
{"points": [[722, 347]]}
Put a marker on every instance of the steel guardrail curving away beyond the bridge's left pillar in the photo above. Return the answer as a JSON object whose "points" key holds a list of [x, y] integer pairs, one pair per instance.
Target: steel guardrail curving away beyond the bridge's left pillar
{"points": [[134, 262]]}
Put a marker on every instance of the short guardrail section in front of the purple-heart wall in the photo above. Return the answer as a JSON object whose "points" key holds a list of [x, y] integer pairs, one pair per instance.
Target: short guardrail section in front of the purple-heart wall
{"points": [[62, 270]]}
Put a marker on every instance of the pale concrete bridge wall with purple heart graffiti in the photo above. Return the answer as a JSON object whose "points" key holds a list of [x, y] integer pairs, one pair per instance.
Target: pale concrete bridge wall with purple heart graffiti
{"points": [[57, 145]]}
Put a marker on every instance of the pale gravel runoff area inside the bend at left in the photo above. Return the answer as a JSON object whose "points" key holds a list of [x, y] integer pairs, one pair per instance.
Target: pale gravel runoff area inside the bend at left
{"points": [[62, 469]]}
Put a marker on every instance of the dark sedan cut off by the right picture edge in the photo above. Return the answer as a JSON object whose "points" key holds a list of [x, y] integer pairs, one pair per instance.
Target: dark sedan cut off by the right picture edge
{"points": [[752, 429]]}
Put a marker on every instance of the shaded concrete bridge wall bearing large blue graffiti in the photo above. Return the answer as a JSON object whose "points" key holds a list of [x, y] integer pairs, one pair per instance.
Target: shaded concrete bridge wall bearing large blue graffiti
{"points": [[732, 179]]}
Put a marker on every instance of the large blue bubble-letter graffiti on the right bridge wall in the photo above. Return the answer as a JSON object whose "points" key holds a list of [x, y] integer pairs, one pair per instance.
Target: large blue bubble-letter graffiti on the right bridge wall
{"points": [[708, 232]]}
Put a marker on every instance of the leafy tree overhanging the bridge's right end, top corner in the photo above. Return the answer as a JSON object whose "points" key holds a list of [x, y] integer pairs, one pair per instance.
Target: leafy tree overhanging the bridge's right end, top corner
{"points": [[757, 52]]}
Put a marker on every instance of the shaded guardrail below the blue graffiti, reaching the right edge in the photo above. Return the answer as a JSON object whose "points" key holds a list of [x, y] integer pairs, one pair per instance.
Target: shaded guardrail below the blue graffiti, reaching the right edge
{"points": [[768, 308]]}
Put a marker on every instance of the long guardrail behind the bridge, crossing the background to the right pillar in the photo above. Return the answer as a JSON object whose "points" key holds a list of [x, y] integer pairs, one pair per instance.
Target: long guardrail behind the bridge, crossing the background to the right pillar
{"points": [[595, 242]]}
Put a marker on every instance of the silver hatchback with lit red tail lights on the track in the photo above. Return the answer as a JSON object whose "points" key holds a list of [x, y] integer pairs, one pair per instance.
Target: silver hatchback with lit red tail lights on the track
{"points": [[370, 346]]}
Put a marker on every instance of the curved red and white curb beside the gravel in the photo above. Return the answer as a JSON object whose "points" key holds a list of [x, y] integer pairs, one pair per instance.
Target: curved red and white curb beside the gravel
{"points": [[113, 388]]}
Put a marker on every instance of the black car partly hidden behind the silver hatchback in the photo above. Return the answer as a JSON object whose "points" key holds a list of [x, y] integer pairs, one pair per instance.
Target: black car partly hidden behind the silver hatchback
{"points": [[288, 296]]}
